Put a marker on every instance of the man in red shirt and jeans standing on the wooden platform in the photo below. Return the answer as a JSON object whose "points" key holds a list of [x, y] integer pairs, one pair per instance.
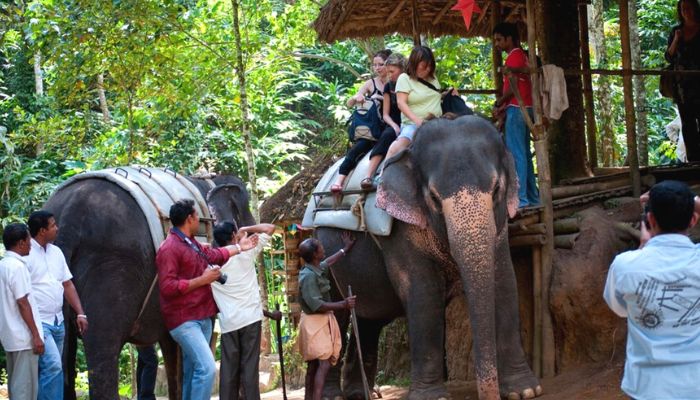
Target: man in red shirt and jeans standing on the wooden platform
{"points": [[506, 38]]}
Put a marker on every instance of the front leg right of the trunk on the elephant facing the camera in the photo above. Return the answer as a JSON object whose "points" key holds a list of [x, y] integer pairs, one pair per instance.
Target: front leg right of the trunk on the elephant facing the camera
{"points": [[515, 377]]}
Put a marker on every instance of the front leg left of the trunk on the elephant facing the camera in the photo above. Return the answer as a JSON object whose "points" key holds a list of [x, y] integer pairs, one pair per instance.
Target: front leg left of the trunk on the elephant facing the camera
{"points": [[421, 287]]}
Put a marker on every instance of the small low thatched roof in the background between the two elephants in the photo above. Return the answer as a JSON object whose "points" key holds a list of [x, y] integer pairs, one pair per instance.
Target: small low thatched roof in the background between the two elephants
{"points": [[289, 203]]}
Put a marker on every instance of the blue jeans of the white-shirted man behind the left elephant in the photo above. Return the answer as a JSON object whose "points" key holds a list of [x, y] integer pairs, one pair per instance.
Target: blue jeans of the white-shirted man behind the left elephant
{"points": [[50, 367]]}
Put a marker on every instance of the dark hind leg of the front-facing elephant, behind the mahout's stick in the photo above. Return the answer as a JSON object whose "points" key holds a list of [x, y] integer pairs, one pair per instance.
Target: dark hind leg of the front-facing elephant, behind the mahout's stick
{"points": [[369, 342]]}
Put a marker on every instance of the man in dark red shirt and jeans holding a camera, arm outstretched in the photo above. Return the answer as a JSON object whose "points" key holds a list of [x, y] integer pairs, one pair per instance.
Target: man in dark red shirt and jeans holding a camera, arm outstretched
{"points": [[186, 270]]}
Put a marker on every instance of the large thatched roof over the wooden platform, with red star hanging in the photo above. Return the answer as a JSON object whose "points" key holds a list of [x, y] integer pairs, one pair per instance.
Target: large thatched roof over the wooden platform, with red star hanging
{"points": [[345, 19]]}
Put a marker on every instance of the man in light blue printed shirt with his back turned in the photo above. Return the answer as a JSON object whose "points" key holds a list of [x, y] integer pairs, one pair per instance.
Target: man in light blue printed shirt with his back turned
{"points": [[657, 288]]}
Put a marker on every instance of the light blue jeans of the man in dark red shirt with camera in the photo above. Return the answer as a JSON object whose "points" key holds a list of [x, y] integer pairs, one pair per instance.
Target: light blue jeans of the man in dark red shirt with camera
{"points": [[198, 366]]}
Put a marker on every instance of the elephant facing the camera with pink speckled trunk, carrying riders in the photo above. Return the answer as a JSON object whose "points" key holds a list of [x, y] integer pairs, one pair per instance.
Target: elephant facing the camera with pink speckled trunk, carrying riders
{"points": [[451, 194]]}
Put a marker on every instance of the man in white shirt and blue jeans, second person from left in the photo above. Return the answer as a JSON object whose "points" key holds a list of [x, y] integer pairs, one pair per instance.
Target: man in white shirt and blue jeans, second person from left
{"points": [[51, 282]]}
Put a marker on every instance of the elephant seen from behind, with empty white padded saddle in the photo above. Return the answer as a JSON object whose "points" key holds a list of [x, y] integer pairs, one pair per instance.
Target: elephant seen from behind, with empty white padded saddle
{"points": [[106, 241]]}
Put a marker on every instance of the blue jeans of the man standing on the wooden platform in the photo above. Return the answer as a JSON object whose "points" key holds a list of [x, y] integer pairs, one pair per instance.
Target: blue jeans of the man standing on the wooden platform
{"points": [[518, 142]]}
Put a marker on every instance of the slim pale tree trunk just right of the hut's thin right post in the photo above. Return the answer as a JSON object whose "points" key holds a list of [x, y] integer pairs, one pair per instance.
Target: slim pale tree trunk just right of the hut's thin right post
{"points": [[639, 89]]}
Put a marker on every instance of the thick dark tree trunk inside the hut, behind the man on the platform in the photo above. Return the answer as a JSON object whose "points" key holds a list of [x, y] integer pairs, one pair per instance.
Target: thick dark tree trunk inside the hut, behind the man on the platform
{"points": [[559, 25]]}
